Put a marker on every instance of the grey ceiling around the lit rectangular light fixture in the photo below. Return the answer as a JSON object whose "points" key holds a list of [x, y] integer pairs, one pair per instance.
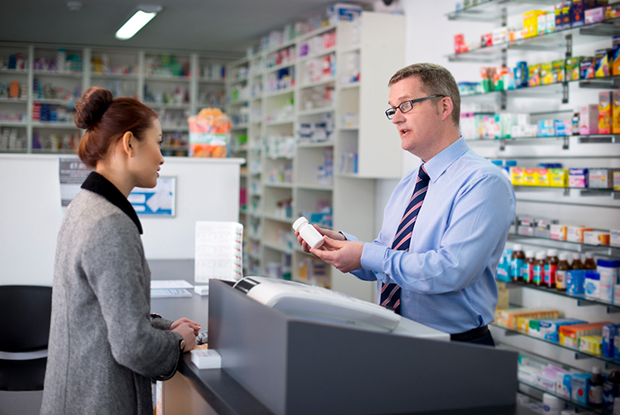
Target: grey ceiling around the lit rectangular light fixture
{"points": [[225, 27]]}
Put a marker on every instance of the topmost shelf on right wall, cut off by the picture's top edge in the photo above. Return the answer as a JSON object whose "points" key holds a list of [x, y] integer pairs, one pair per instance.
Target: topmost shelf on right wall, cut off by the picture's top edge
{"points": [[494, 9]]}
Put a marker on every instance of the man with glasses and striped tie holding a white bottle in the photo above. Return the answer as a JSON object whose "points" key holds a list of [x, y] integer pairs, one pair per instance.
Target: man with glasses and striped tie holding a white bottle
{"points": [[446, 223]]}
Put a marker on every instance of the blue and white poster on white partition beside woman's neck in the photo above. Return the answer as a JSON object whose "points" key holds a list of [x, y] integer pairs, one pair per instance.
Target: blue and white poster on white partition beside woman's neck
{"points": [[156, 202]]}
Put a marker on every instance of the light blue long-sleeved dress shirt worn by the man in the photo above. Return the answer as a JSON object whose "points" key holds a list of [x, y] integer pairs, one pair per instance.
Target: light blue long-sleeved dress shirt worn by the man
{"points": [[448, 275]]}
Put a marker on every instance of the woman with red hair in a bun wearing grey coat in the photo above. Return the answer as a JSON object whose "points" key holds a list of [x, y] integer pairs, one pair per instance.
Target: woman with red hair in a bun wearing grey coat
{"points": [[105, 347]]}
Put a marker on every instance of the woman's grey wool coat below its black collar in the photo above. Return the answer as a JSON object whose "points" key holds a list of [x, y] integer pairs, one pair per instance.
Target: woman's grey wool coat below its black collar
{"points": [[103, 349]]}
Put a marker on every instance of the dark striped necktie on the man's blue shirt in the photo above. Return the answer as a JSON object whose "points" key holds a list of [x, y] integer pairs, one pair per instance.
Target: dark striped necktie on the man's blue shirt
{"points": [[390, 293]]}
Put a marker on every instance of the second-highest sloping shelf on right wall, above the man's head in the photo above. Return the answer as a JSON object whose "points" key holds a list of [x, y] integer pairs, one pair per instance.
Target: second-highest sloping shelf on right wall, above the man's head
{"points": [[553, 41]]}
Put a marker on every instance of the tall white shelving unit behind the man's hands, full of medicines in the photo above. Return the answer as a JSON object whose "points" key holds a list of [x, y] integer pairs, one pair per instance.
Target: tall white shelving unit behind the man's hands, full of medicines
{"points": [[284, 172]]}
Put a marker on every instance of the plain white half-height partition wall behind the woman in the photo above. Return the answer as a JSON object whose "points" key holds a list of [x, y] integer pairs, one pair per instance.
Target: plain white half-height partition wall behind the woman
{"points": [[207, 189]]}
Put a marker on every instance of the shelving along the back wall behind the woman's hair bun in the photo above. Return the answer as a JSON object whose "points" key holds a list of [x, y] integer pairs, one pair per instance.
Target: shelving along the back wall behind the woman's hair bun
{"points": [[126, 72]]}
